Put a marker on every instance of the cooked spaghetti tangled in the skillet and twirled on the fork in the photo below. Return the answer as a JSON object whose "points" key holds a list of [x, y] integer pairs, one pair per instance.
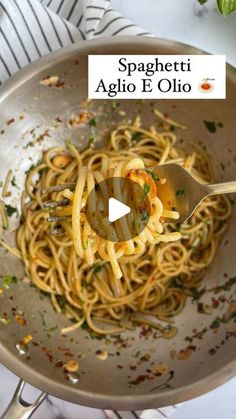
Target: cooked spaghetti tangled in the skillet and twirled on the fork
{"points": [[98, 282]]}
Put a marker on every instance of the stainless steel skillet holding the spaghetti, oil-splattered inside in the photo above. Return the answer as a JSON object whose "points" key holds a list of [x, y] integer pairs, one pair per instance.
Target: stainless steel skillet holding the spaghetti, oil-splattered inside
{"points": [[27, 109]]}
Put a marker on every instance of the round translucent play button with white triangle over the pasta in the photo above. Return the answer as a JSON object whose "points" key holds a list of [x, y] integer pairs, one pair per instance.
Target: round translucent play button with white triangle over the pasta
{"points": [[118, 209]]}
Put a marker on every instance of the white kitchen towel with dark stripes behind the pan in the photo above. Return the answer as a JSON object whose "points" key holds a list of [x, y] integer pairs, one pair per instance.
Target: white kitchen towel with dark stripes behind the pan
{"points": [[30, 29]]}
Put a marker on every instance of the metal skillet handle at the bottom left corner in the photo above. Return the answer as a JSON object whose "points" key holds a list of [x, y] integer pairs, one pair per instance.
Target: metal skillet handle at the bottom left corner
{"points": [[20, 409]]}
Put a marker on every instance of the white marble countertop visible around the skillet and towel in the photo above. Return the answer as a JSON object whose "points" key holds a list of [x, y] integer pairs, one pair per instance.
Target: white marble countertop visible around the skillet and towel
{"points": [[203, 27]]}
